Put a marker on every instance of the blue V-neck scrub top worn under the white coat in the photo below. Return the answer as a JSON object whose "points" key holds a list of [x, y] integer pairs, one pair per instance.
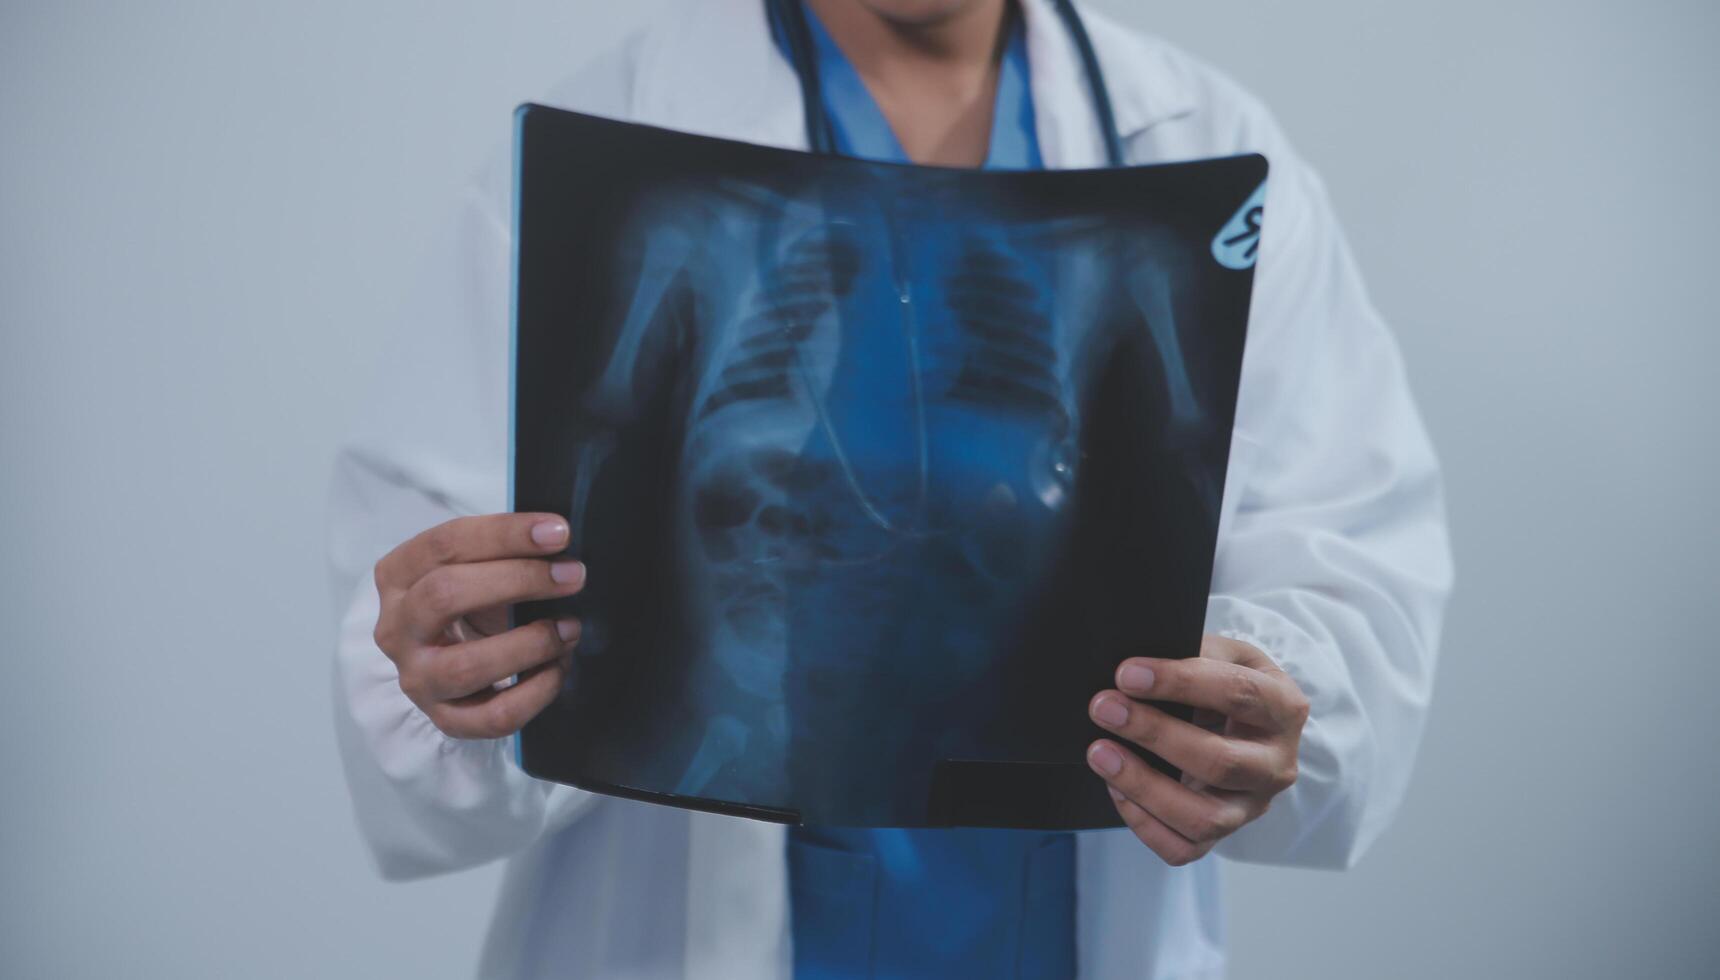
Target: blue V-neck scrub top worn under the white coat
{"points": [[967, 903]]}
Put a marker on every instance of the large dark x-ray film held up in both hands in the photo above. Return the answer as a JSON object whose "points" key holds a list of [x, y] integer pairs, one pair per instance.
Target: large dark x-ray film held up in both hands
{"points": [[878, 470]]}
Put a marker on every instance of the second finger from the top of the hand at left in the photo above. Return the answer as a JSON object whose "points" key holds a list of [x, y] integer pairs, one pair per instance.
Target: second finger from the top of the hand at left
{"points": [[451, 592]]}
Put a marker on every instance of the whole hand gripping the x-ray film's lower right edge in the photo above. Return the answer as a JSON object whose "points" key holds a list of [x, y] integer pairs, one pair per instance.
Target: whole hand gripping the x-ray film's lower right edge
{"points": [[1232, 769]]}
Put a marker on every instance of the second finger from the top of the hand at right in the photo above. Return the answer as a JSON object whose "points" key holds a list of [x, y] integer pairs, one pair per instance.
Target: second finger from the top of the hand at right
{"points": [[1210, 757]]}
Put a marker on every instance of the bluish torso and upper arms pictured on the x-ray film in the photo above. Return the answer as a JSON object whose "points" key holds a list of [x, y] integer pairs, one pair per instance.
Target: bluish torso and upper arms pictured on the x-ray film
{"points": [[883, 412]]}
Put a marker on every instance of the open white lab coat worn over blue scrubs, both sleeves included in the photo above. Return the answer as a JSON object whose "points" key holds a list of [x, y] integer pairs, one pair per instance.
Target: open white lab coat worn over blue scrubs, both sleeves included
{"points": [[1332, 549]]}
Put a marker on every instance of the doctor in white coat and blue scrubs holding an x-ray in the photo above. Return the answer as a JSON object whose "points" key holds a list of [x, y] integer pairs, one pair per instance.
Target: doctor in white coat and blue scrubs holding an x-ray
{"points": [[1324, 623]]}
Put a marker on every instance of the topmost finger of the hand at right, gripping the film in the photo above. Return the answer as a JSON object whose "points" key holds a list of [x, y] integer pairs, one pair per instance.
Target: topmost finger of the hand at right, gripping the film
{"points": [[1241, 694]]}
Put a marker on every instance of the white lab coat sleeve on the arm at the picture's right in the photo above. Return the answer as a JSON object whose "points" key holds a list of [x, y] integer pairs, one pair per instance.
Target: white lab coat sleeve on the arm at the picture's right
{"points": [[1334, 553]]}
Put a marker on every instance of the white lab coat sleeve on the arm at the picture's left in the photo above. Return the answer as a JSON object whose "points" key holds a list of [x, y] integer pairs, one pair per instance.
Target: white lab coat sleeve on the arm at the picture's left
{"points": [[431, 448]]}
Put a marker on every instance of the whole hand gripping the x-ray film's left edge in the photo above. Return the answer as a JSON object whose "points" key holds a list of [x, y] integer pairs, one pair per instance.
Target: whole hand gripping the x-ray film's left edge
{"points": [[445, 615]]}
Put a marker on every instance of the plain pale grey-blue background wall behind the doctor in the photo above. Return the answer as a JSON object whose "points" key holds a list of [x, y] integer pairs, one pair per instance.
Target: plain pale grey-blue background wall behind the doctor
{"points": [[209, 212]]}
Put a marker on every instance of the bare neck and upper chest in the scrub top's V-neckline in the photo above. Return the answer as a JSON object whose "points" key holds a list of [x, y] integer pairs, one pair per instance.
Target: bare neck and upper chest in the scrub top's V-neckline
{"points": [[935, 75]]}
